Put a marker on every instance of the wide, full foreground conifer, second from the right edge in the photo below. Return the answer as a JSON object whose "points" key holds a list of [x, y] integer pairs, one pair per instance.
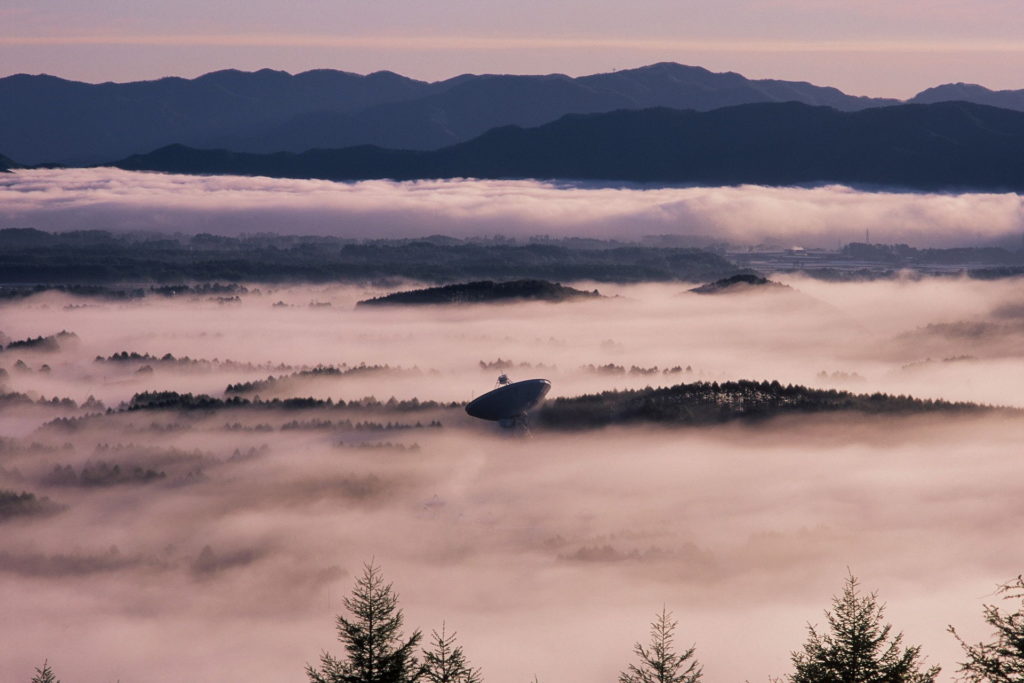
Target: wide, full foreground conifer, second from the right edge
{"points": [[859, 649]]}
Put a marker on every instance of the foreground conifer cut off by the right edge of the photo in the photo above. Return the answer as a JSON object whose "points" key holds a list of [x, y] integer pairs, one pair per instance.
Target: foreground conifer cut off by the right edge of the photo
{"points": [[1001, 661]]}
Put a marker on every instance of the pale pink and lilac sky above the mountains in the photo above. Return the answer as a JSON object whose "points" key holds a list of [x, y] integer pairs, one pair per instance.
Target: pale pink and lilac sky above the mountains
{"points": [[869, 48]]}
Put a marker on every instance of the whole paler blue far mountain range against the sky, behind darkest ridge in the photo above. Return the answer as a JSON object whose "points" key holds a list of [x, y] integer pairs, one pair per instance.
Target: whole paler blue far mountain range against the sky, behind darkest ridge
{"points": [[48, 119]]}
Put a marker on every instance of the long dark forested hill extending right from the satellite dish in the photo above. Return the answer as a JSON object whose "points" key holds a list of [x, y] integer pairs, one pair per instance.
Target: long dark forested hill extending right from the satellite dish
{"points": [[713, 403]]}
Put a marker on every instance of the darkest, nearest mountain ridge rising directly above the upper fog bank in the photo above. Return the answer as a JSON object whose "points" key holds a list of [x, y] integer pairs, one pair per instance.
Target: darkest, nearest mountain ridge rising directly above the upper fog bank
{"points": [[947, 146]]}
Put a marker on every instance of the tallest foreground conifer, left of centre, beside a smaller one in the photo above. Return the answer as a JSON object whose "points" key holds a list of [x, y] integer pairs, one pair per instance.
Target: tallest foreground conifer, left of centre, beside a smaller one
{"points": [[377, 652]]}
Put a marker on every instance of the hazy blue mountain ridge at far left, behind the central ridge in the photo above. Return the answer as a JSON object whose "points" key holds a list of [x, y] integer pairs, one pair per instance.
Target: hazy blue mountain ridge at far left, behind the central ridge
{"points": [[48, 119]]}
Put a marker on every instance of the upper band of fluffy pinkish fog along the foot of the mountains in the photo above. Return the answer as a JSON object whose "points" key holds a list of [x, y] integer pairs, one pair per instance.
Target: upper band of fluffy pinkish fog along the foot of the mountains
{"points": [[112, 199]]}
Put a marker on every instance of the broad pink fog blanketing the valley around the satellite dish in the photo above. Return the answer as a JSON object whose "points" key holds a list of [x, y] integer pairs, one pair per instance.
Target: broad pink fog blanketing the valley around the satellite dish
{"points": [[222, 547]]}
